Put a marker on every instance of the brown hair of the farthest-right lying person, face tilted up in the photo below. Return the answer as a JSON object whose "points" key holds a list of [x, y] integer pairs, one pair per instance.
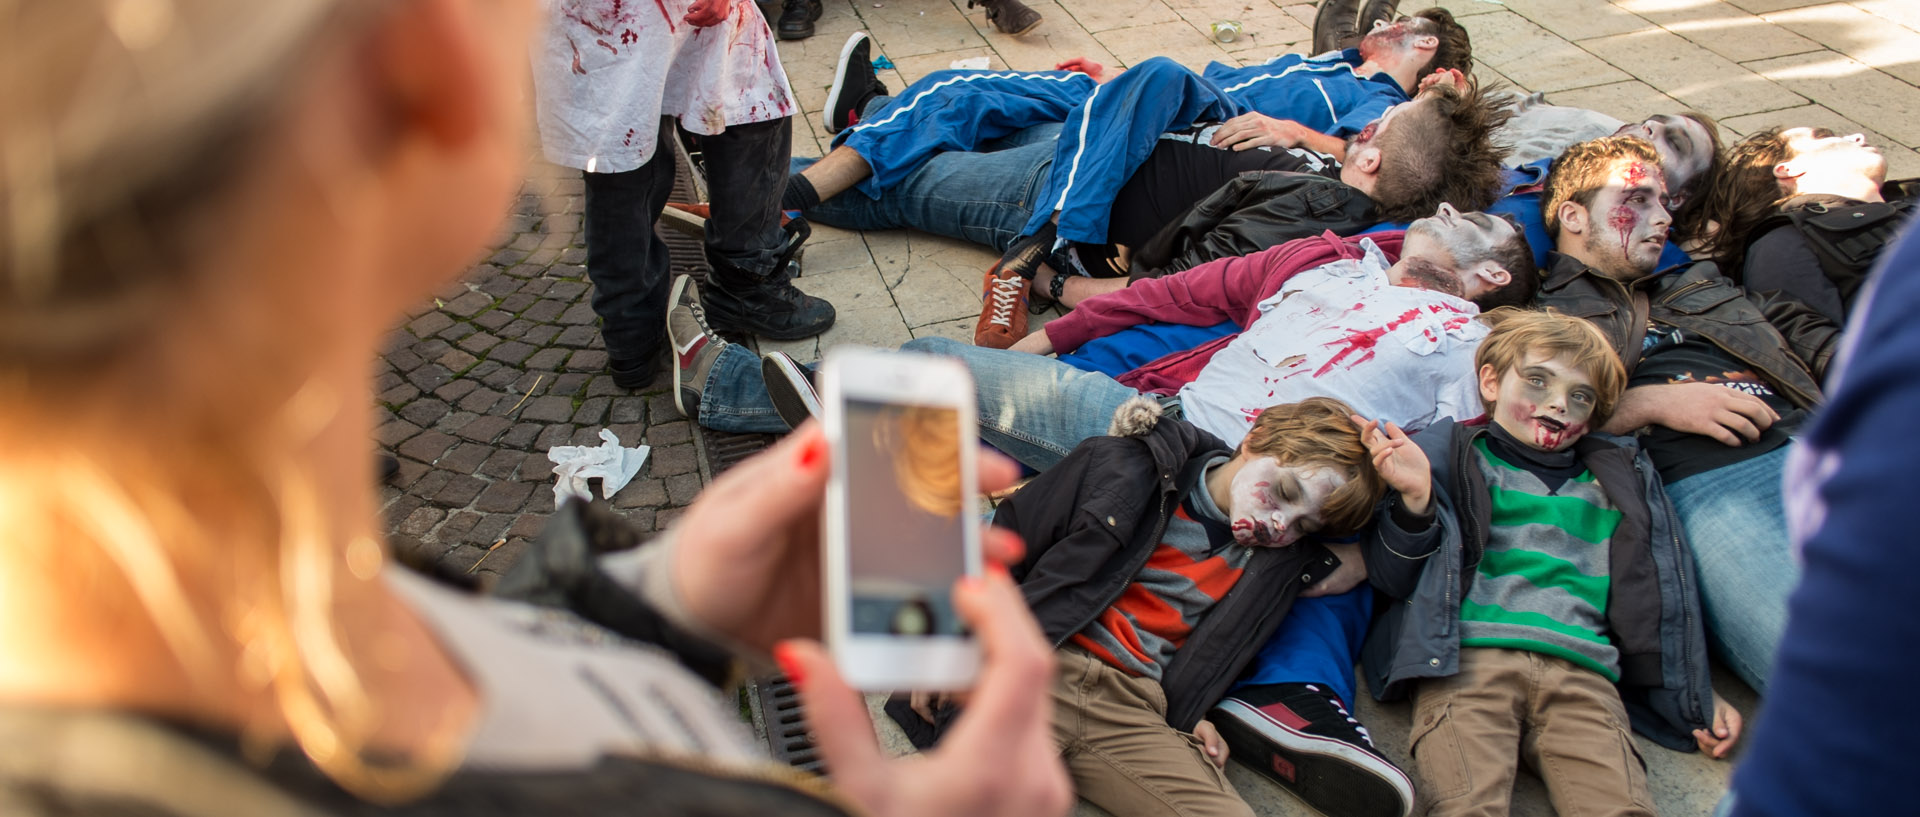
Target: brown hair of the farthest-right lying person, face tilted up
{"points": [[1742, 195]]}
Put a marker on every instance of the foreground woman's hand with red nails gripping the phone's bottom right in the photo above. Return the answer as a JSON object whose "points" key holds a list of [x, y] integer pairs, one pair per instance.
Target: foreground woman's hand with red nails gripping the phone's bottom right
{"points": [[997, 759]]}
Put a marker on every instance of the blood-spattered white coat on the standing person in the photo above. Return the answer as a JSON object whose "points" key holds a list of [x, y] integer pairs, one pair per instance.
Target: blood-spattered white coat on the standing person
{"points": [[606, 72]]}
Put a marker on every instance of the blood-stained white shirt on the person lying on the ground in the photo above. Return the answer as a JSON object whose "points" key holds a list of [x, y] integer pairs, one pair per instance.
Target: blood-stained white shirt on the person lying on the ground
{"points": [[1341, 331]]}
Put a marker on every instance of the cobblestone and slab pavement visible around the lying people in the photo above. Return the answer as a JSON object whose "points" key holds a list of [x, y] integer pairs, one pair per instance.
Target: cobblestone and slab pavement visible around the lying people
{"points": [[508, 363]]}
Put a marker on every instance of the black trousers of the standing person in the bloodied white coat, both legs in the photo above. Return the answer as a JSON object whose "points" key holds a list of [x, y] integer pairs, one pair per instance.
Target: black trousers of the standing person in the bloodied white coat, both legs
{"points": [[629, 264]]}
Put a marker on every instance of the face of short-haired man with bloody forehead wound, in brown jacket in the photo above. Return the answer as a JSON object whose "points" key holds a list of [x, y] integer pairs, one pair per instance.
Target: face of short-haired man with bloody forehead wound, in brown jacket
{"points": [[1627, 222]]}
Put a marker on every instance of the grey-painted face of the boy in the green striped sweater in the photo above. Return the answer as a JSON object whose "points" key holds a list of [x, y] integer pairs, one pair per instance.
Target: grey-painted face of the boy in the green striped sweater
{"points": [[1547, 402]]}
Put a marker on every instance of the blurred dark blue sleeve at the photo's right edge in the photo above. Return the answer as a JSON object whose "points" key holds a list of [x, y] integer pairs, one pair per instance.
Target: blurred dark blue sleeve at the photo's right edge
{"points": [[1838, 724]]}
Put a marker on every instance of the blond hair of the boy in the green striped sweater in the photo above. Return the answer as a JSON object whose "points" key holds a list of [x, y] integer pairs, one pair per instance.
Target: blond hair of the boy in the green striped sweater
{"points": [[1547, 333]]}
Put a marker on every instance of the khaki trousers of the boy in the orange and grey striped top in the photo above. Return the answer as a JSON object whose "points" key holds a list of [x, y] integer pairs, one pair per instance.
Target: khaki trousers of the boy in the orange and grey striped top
{"points": [[1113, 732]]}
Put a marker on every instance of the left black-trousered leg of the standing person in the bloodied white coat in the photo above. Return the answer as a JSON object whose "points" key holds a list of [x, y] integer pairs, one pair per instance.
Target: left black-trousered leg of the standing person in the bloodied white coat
{"points": [[629, 264]]}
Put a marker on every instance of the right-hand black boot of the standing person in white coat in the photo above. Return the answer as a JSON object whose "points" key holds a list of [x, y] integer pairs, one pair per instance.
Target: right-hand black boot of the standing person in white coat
{"points": [[765, 306]]}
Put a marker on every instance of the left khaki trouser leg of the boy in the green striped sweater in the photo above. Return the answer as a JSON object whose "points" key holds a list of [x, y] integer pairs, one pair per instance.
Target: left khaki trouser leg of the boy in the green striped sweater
{"points": [[1468, 734]]}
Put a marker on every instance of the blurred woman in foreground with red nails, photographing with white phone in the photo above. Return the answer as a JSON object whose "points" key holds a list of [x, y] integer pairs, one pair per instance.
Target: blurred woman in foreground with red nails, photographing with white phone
{"points": [[210, 216]]}
